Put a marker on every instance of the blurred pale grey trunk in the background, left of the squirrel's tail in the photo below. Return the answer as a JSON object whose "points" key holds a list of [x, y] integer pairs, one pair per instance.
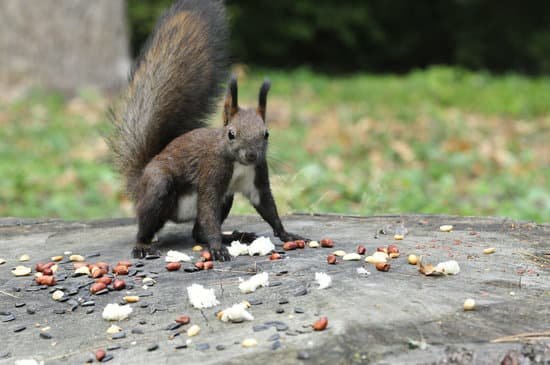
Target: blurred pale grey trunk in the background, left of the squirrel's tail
{"points": [[64, 44]]}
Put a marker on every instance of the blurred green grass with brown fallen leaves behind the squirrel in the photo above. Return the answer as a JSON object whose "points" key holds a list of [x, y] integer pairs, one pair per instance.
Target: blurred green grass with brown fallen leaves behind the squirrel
{"points": [[438, 141]]}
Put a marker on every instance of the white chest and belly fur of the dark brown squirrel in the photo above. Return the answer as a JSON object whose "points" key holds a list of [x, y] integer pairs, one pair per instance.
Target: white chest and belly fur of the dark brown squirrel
{"points": [[242, 181]]}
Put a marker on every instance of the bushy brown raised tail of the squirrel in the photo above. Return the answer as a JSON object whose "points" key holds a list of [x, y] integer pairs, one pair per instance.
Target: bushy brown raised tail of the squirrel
{"points": [[174, 85]]}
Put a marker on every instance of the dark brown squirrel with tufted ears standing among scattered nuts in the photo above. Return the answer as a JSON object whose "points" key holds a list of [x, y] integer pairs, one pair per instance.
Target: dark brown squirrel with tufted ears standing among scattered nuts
{"points": [[175, 167]]}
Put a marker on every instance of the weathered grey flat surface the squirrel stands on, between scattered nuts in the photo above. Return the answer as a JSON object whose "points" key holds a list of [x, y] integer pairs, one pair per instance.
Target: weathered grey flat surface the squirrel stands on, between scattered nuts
{"points": [[371, 319]]}
